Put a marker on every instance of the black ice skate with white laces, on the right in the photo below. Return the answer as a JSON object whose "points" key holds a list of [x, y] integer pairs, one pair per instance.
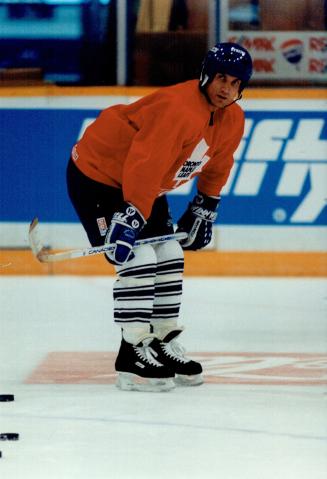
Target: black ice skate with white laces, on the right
{"points": [[172, 354]]}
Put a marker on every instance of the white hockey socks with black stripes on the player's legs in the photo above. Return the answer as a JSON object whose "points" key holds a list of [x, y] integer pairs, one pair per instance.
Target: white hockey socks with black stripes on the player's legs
{"points": [[149, 287]]}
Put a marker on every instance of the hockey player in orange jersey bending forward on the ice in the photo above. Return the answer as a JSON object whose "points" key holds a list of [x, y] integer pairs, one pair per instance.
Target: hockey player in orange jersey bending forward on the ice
{"points": [[119, 172]]}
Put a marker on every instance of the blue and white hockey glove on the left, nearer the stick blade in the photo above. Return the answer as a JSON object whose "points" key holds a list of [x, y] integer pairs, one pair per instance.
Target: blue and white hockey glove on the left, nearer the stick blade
{"points": [[123, 231]]}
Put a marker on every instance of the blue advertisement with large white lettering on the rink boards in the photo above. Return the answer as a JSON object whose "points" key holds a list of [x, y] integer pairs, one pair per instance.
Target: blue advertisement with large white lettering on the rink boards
{"points": [[279, 177]]}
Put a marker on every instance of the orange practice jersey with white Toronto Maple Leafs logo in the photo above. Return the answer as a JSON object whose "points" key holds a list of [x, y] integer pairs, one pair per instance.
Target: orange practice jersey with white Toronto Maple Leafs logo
{"points": [[159, 142]]}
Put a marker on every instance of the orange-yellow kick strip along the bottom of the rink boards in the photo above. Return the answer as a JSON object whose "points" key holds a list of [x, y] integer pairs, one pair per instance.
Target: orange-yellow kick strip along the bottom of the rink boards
{"points": [[199, 263]]}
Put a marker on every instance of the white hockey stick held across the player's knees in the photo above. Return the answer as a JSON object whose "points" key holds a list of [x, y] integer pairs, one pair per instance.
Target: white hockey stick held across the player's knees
{"points": [[43, 255]]}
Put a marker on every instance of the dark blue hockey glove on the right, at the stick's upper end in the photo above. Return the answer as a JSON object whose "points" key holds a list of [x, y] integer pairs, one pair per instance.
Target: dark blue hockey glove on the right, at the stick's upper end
{"points": [[197, 221]]}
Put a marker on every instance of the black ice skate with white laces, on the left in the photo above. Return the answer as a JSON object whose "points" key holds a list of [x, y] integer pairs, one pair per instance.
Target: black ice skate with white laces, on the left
{"points": [[139, 369]]}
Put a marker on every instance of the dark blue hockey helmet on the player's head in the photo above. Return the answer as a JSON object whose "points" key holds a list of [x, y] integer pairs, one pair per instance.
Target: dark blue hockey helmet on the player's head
{"points": [[228, 58]]}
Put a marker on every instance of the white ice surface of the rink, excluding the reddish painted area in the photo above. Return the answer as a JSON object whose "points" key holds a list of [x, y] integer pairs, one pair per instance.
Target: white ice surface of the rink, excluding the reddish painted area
{"points": [[212, 431]]}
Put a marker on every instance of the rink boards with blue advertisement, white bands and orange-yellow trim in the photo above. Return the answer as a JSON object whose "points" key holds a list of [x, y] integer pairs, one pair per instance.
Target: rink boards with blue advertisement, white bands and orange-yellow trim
{"points": [[273, 206]]}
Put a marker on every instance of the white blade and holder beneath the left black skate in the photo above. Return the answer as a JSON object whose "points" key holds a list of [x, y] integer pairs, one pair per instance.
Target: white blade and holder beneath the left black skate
{"points": [[132, 382]]}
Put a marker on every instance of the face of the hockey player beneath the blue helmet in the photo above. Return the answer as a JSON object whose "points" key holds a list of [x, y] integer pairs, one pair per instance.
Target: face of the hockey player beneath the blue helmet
{"points": [[223, 90]]}
